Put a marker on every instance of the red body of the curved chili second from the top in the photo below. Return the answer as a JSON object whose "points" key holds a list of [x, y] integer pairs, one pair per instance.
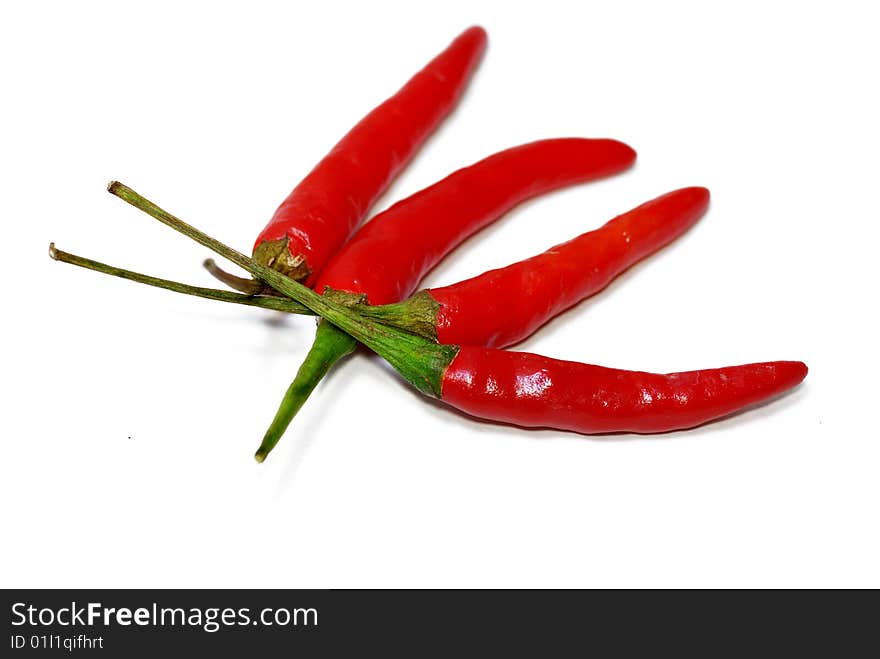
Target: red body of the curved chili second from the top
{"points": [[391, 254]]}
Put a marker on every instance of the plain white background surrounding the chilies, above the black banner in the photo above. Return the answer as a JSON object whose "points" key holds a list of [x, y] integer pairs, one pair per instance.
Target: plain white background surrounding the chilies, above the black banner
{"points": [[130, 414]]}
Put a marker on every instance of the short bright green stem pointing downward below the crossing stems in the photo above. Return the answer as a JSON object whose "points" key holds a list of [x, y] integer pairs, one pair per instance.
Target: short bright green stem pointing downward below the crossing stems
{"points": [[331, 344]]}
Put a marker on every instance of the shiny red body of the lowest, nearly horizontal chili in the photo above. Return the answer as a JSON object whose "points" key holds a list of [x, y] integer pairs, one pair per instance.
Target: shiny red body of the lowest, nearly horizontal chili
{"points": [[530, 390]]}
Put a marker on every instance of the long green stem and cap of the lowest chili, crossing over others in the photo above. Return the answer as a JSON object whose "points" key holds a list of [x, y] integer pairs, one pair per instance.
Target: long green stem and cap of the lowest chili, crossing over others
{"points": [[420, 361]]}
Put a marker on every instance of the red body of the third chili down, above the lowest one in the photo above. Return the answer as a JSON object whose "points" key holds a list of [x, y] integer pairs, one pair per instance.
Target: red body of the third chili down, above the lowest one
{"points": [[501, 307]]}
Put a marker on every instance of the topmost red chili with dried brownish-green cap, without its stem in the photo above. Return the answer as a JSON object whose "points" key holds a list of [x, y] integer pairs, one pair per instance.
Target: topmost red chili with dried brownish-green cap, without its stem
{"points": [[321, 212]]}
